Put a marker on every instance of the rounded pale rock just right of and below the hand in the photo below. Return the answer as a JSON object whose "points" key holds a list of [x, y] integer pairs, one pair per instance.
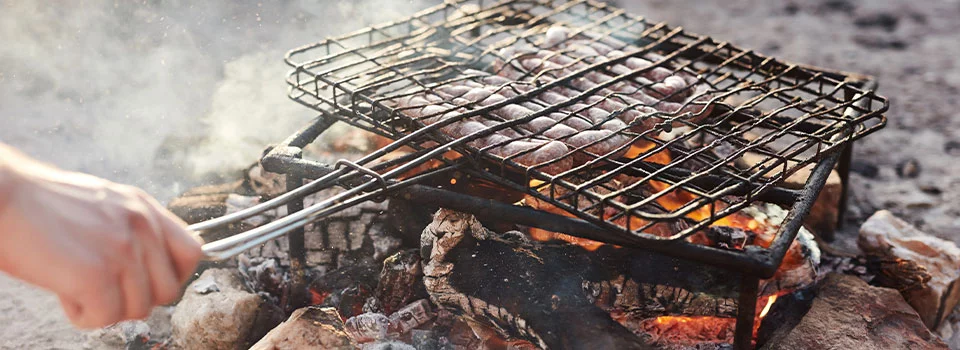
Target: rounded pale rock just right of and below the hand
{"points": [[219, 317]]}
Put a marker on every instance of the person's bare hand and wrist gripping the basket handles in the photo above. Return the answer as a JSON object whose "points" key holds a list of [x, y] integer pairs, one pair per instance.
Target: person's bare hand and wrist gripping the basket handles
{"points": [[109, 251]]}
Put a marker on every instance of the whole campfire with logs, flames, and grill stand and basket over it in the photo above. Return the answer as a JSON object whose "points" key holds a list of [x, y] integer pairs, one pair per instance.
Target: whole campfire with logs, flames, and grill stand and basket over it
{"points": [[539, 175]]}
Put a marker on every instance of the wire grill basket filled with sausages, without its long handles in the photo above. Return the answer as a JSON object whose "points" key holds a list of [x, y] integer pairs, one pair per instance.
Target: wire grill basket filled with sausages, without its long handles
{"points": [[739, 125]]}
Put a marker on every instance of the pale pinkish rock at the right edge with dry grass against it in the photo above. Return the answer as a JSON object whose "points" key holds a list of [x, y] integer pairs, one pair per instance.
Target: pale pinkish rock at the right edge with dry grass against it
{"points": [[884, 235]]}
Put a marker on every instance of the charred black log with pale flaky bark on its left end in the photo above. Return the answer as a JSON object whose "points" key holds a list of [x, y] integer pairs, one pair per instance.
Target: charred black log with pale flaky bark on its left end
{"points": [[507, 286]]}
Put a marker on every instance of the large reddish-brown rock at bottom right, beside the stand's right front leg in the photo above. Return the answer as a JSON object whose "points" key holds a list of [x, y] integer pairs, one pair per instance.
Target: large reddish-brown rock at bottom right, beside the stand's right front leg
{"points": [[847, 313]]}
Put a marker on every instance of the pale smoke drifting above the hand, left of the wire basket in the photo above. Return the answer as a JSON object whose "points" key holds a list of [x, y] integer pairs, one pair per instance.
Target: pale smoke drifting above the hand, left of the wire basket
{"points": [[160, 94]]}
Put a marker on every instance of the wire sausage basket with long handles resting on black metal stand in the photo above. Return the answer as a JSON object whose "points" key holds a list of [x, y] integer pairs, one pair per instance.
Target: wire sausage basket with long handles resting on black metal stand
{"points": [[677, 139]]}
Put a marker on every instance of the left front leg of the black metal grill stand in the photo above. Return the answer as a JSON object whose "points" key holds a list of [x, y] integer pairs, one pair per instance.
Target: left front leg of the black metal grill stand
{"points": [[298, 253]]}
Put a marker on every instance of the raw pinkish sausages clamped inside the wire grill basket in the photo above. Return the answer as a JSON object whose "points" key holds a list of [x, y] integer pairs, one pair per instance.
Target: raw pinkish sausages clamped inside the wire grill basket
{"points": [[592, 127]]}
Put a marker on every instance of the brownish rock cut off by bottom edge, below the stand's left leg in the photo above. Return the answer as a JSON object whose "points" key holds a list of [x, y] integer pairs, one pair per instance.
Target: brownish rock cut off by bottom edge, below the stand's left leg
{"points": [[308, 328]]}
